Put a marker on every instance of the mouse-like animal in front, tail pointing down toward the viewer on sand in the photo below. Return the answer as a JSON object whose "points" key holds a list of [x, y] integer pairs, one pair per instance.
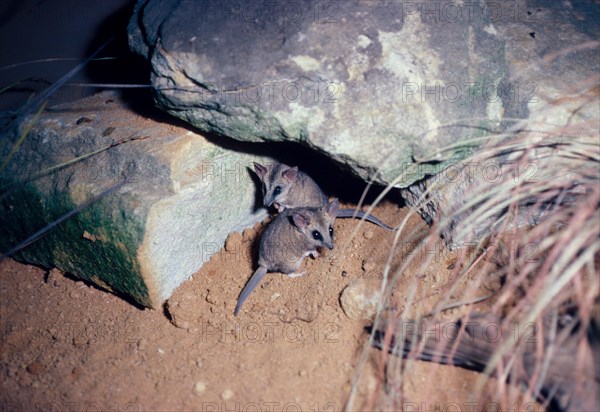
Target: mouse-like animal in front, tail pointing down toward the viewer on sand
{"points": [[290, 237]]}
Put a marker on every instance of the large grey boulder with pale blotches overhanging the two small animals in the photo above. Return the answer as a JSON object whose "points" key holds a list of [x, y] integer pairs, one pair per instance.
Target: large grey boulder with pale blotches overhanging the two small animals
{"points": [[379, 86]]}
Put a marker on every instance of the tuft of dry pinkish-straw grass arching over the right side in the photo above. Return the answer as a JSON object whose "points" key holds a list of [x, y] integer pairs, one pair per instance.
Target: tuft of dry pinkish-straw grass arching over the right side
{"points": [[527, 236]]}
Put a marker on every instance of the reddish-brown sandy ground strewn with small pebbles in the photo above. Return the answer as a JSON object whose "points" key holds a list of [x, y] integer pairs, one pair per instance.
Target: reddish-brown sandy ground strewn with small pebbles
{"points": [[67, 345]]}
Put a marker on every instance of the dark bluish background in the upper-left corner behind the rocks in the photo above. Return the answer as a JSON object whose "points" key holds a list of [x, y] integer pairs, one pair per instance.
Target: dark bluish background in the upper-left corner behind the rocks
{"points": [[45, 40]]}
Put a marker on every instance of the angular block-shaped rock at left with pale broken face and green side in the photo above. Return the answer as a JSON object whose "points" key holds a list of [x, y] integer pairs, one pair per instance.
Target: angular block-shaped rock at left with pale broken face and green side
{"points": [[178, 196]]}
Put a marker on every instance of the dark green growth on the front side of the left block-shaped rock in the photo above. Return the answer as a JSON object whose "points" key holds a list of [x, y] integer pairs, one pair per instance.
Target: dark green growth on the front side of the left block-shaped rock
{"points": [[100, 242]]}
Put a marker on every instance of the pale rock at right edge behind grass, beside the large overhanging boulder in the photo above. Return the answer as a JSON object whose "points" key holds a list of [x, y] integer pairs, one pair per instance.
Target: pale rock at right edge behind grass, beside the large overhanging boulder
{"points": [[551, 53]]}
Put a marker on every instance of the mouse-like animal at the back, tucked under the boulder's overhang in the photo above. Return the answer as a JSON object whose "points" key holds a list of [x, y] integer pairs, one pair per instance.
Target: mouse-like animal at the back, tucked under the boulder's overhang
{"points": [[287, 187]]}
